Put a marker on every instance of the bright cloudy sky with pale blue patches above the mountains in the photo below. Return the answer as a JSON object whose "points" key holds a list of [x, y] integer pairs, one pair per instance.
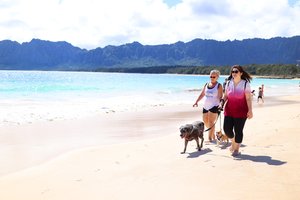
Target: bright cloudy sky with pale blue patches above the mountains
{"points": [[97, 23]]}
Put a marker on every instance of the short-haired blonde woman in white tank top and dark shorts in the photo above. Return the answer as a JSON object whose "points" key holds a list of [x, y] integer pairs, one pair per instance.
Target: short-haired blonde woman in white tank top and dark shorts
{"points": [[212, 93]]}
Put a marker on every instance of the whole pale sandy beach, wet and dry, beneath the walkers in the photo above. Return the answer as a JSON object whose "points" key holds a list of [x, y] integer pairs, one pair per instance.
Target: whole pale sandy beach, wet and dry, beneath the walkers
{"points": [[57, 165]]}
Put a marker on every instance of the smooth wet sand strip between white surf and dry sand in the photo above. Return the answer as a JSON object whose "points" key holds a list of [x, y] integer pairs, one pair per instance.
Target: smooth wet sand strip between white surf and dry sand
{"points": [[26, 145]]}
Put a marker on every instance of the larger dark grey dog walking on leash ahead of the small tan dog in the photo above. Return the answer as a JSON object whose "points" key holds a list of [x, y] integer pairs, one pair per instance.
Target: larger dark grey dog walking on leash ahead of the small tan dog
{"points": [[191, 132]]}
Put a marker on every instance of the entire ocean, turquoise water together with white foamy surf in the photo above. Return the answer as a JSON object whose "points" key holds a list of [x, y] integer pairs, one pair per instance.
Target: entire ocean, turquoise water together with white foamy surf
{"points": [[28, 96]]}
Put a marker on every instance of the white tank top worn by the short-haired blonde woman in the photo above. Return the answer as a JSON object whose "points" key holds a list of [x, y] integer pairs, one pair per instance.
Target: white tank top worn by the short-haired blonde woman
{"points": [[211, 97]]}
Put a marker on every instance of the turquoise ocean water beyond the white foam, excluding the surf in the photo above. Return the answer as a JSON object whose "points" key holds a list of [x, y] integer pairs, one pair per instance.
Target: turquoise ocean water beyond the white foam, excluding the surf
{"points": [[17, 84]]}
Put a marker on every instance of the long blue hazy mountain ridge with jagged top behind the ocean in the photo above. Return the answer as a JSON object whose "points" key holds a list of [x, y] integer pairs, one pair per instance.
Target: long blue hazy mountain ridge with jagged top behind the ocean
{"points": [[46, 55]]}
